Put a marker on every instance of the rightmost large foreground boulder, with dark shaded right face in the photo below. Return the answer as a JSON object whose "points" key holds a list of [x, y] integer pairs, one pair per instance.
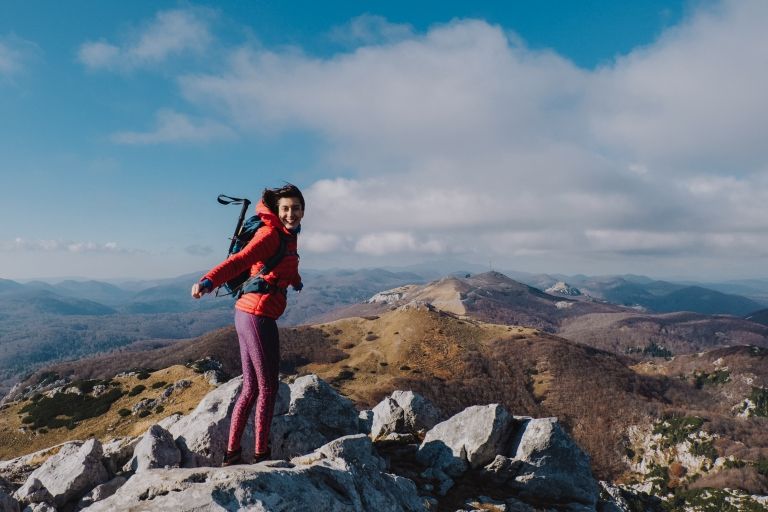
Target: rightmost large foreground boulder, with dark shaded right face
{"points": [[546, 467]]}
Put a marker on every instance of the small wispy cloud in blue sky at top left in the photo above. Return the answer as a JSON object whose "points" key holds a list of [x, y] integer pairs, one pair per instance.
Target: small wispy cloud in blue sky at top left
{"points": [[169, 34]]}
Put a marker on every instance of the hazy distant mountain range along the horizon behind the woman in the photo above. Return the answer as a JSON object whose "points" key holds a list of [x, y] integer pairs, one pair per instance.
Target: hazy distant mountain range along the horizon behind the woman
{"points": [[43, 322]]}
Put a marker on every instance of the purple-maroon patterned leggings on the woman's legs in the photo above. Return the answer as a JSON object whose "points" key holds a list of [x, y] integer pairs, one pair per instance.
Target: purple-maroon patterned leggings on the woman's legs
{"points": [[260, 357]]}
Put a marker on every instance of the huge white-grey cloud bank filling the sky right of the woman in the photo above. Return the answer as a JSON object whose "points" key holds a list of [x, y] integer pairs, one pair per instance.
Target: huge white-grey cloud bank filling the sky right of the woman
{"points": [[464, 140]]}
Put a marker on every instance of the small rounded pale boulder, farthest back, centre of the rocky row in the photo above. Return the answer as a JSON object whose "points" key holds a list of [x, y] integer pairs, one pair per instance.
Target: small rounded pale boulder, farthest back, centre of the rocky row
{"points": [[403, 412]]}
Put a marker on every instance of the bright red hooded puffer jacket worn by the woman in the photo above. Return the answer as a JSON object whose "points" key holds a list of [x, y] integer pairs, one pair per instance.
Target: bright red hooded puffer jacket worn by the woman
{"points": [[262, 246]]}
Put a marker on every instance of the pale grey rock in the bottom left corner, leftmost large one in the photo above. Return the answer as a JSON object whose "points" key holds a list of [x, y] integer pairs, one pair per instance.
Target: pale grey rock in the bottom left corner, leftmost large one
{"points": [[75, 470]]}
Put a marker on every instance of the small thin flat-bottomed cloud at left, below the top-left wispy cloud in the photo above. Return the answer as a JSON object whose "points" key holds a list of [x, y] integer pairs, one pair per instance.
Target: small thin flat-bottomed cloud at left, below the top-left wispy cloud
{"points": [[175, 127]]}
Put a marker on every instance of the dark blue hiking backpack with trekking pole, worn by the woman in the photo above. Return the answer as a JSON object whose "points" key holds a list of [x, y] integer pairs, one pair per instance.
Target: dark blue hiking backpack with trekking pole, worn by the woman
{"points": [[244, 232]]}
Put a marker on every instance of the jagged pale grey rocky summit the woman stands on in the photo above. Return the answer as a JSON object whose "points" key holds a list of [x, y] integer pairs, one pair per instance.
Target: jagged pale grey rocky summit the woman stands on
{"points": [[402, 455]]}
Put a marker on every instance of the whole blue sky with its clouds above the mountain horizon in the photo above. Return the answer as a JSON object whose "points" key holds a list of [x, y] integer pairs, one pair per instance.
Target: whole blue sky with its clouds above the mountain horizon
{"points": [[547, 136]]}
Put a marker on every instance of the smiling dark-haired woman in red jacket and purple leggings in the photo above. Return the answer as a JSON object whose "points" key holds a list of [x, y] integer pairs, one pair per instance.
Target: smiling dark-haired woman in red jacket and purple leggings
{"points": [[281, 210]]}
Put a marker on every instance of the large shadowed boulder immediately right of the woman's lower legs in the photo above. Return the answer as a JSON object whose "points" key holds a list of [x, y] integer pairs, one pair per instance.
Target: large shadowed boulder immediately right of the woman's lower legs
{"points": [[316, 414]]}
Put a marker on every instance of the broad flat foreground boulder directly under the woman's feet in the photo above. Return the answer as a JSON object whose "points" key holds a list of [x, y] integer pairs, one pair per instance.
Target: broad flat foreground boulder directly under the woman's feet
{"points": [[342, 476]]}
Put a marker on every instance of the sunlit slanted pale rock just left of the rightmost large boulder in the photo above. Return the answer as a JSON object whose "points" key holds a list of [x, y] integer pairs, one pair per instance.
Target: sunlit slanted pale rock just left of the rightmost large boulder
{"points": [[475, 436]]}
